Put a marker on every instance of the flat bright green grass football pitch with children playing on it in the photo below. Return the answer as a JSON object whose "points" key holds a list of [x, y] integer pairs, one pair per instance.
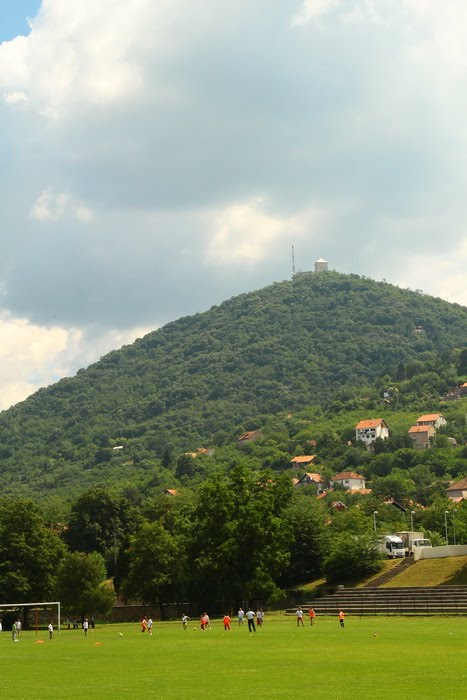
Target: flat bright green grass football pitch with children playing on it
{"points": [[408, 658]]}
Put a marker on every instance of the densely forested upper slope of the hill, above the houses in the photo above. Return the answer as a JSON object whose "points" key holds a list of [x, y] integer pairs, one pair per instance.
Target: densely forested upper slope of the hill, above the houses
{"points": [[315, 340]]}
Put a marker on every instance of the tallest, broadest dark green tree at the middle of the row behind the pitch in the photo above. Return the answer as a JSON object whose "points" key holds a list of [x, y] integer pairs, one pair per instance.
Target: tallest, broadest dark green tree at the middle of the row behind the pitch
{"points": [[239, 546]]}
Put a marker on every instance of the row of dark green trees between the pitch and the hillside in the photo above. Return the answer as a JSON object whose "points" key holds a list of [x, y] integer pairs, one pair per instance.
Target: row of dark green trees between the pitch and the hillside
{"points": [[242, 535]]}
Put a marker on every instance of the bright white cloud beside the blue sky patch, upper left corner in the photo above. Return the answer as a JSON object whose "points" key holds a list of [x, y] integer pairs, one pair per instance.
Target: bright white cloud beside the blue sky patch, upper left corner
{"points": [[78, 51]]}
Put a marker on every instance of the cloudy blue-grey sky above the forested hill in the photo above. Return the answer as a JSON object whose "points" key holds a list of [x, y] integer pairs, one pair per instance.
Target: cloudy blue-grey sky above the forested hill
{"points": [[157, 158]]}
